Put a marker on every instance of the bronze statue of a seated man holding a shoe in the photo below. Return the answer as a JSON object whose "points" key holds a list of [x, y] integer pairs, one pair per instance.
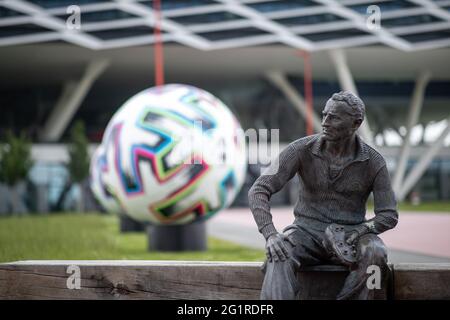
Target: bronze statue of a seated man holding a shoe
{"points": [[337, 171]]}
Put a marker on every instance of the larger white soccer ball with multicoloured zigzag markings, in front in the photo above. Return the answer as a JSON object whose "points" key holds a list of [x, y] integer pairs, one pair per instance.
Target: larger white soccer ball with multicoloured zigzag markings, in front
{"points": [[174, 154]]}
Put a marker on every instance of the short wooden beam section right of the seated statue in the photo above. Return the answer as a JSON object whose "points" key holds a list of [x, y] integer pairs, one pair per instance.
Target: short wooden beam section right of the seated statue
{"points": [[422, 281]]}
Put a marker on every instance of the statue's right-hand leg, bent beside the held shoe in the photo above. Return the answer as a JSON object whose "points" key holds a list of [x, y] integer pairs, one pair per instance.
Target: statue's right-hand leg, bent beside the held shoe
{"points": [[370, 274]]}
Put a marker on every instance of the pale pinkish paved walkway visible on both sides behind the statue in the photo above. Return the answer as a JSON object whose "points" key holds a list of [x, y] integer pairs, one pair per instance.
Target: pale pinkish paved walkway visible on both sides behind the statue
{"points": [[418, 237]]}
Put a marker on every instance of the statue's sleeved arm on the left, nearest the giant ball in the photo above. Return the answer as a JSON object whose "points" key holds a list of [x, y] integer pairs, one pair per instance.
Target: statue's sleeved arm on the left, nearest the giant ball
{"points": [[270, 182]]}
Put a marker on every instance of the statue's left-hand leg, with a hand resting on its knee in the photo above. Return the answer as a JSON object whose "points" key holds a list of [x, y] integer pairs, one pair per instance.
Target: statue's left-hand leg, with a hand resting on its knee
{"points": [[280, 280]]}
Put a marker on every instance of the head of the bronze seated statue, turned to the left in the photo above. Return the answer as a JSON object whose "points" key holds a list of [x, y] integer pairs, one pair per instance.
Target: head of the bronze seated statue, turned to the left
{"points": [[342, 116]]}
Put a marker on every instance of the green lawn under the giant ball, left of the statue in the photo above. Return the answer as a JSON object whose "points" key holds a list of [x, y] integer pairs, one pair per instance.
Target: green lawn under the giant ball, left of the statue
{"points": [[95, 236]]}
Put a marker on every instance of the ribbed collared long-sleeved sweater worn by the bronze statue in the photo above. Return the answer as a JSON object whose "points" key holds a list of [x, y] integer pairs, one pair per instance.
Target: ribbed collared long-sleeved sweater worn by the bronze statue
{"points": [[338, 198]]}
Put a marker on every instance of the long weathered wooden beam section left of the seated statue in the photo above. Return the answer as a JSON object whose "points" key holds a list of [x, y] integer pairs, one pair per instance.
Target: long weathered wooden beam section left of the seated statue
{"points": [[131, 280]]}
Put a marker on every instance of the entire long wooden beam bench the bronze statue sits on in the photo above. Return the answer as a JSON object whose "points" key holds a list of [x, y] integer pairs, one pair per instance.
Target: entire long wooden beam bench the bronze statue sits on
{"points": [[128, 279]]}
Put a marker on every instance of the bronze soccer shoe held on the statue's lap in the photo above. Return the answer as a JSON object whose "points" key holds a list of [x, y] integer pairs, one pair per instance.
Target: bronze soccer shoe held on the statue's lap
{"points": [[336, 244]]}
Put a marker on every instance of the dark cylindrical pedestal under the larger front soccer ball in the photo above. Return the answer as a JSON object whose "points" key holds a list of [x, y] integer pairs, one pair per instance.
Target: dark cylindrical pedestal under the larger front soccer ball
{"points": [[189, 237]]}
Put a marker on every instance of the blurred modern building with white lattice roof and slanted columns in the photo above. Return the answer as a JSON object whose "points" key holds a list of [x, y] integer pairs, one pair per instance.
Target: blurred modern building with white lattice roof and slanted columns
{"points": [[250, 53]]}
